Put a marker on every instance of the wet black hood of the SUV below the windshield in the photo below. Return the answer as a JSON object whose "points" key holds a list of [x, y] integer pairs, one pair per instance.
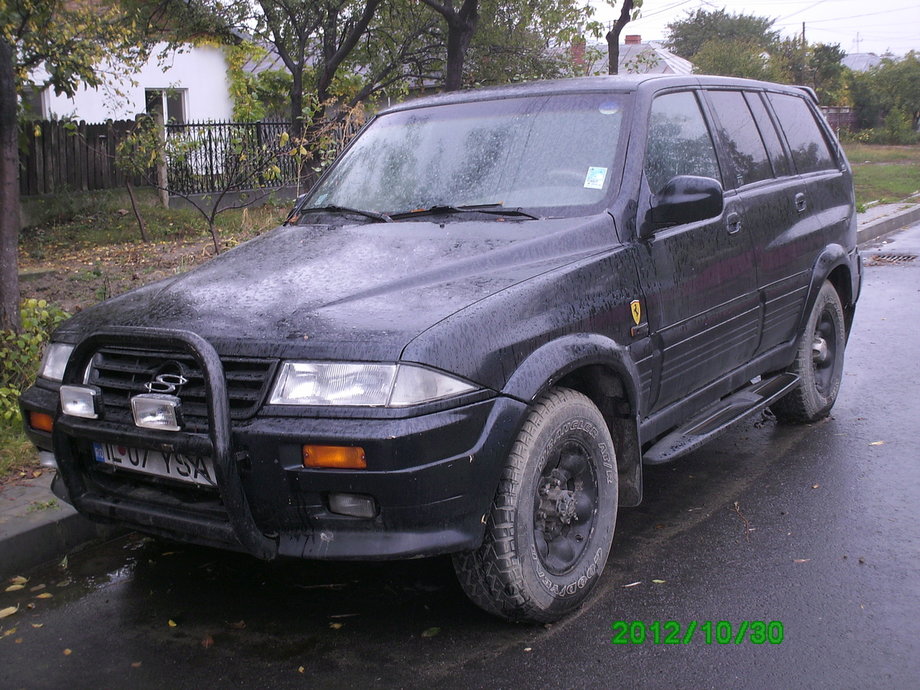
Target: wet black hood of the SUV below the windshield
{"points": [[359, 291]]}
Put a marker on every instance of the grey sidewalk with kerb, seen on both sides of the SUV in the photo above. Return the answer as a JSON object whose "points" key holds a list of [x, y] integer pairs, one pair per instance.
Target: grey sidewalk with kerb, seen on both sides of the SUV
{"points": [[35, 526]]}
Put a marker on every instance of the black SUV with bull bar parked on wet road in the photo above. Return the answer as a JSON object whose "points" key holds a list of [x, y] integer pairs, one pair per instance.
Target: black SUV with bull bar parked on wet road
{"points": [[471, 334]]}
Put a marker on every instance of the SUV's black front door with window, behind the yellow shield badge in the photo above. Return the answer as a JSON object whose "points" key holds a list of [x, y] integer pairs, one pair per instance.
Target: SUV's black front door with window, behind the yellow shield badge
{"points": [[699, 278]]}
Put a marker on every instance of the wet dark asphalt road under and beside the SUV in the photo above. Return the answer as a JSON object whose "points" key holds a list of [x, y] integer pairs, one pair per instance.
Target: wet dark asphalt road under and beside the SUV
{"points": [[815, 527]]}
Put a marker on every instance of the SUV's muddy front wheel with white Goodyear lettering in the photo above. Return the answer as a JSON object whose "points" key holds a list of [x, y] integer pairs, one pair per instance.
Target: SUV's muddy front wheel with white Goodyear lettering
{"points": [[552, 520]]}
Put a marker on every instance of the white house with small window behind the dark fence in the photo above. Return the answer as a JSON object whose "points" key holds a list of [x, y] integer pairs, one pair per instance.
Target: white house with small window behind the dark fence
{"points": [[186, 85]]}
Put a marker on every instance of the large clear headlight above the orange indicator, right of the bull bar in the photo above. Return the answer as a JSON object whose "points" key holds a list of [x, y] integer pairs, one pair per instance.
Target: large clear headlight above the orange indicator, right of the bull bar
{"points": [[368, 385]]}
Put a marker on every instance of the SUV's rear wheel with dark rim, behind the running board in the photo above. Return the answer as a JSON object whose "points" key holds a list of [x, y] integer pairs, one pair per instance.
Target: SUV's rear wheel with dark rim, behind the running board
{"points": [[818, 362]]}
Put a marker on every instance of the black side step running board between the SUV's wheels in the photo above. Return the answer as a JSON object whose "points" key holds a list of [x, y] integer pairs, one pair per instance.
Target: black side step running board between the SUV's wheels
{"points": [[718, 417]]}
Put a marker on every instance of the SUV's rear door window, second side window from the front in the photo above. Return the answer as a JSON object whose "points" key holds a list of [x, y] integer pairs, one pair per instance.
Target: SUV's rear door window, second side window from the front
{"points": [[740, 137]]}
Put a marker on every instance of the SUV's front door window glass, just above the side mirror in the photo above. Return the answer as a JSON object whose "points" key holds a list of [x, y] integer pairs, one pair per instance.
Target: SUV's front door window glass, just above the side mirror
{"points": [[678, 141]]}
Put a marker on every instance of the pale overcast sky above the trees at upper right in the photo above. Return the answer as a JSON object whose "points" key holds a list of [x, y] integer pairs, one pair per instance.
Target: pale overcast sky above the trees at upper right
{"points": [[864, 26]]}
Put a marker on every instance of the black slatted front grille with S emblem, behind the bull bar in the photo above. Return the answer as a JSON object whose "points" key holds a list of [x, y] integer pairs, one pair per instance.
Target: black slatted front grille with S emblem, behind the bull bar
{"points": [[122, 373]]}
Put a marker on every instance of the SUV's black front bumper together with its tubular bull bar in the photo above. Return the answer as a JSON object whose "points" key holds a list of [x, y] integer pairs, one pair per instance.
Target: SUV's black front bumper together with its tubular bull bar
{"points": [[432, 476]]}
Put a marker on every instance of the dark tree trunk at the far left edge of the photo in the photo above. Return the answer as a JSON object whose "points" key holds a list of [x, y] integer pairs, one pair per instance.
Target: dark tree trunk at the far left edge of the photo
{"points": [[9, 192]]}
